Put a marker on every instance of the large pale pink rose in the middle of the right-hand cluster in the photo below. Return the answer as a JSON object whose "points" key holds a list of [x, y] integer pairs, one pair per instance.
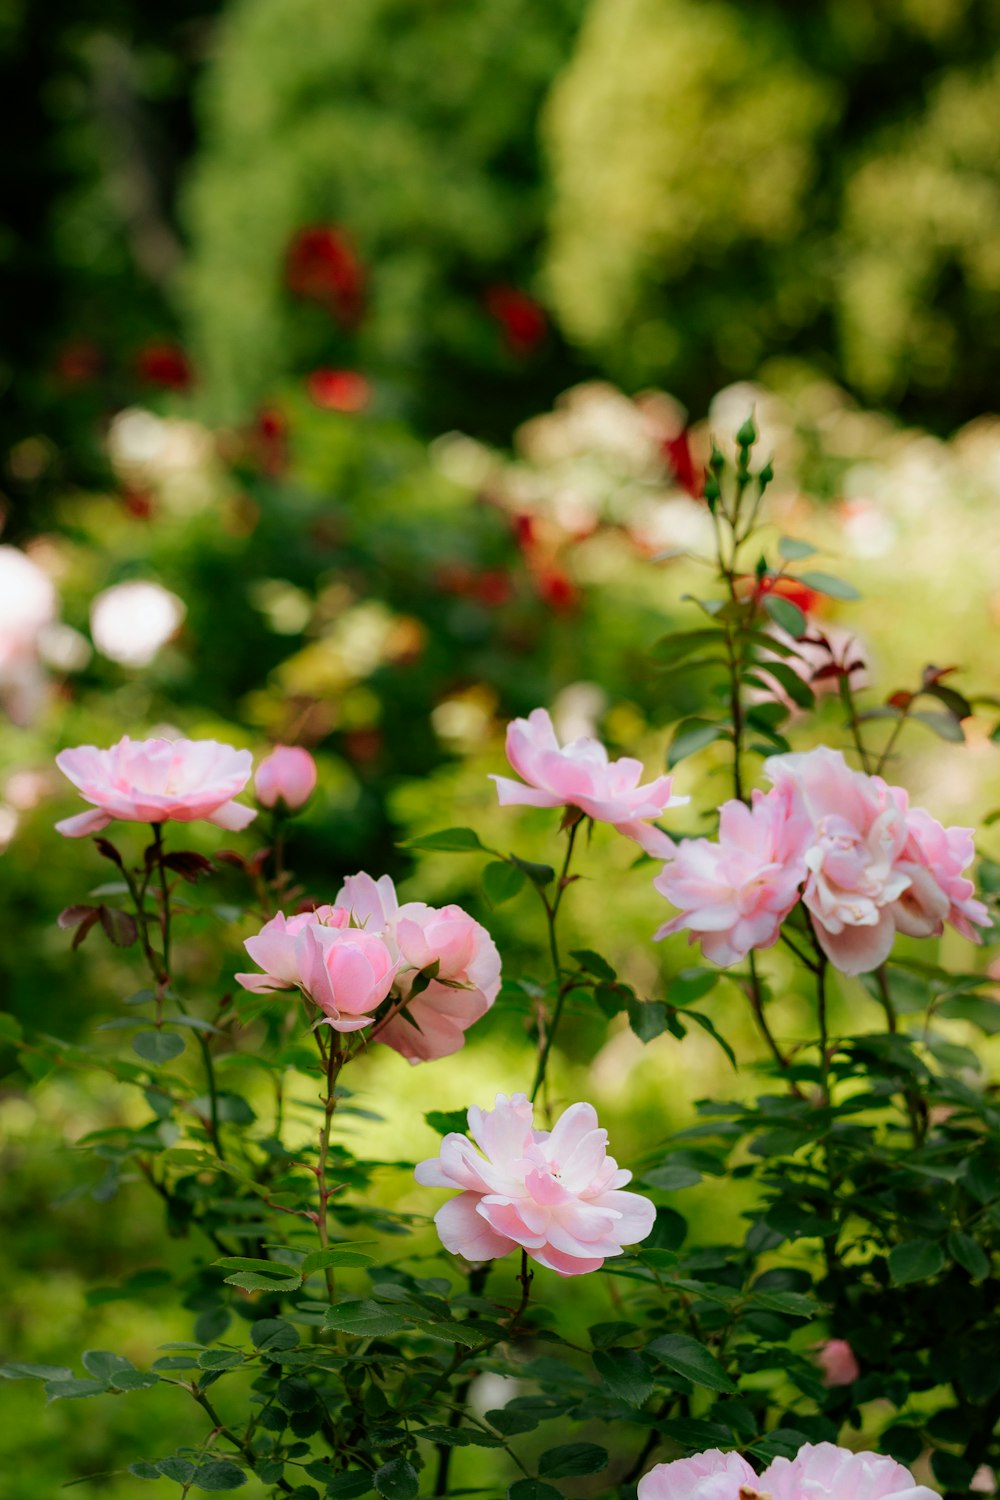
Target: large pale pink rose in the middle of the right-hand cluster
{"points": [[860, 833]]}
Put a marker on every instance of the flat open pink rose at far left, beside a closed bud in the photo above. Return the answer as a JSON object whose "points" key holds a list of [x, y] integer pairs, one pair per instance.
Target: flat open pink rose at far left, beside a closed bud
{"points": [[158, 782]]}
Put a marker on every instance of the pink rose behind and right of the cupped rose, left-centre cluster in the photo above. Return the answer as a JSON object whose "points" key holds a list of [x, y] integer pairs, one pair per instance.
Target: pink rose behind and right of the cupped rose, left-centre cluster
{"points": [[434, 1022]]}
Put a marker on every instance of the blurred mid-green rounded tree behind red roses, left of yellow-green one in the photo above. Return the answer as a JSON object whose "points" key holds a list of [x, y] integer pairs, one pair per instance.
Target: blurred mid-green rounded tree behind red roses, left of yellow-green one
{"points": [[407, 136]]}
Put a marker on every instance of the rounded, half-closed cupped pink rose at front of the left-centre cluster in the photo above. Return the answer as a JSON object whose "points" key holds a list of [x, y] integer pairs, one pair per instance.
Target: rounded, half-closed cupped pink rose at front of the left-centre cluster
{"points": [[346, 973]]}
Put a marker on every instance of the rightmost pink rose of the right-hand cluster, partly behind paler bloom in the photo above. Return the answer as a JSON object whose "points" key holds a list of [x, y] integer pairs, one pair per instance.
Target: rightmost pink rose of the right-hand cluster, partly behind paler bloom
{"points": [[935, 859]]}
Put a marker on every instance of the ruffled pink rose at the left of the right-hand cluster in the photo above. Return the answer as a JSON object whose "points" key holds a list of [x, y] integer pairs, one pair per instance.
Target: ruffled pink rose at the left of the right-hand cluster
{"points": [[735, 895]]}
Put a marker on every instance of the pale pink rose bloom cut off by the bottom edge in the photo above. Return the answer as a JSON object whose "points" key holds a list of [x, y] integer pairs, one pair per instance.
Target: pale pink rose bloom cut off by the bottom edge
{"points": [[819, 1472]]}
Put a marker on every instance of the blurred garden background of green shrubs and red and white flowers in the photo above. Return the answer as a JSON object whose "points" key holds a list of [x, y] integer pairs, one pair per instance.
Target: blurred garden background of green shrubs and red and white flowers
{"points": [[358, 370]]}
